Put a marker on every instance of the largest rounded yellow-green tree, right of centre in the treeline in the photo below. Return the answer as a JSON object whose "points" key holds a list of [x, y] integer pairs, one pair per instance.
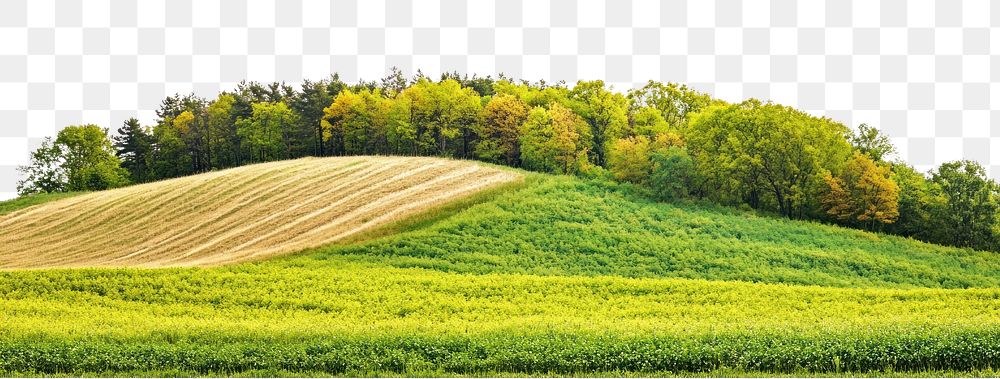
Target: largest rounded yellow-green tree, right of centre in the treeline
{"points": [[765, 155]]}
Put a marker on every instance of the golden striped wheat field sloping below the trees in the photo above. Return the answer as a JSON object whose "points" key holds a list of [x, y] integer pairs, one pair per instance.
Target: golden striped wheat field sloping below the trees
{"points": [[235, 215]]}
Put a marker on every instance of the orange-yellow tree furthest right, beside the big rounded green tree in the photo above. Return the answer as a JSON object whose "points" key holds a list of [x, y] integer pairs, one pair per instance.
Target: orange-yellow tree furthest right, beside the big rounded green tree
{"points": [[863, 193]]}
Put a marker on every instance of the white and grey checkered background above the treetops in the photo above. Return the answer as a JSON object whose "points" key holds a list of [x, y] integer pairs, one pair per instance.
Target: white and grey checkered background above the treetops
{"points": [[923, 71]]}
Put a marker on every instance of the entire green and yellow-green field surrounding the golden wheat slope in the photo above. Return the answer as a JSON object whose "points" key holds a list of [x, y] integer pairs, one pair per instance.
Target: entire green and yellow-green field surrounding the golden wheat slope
{"points": [[557, 275]]}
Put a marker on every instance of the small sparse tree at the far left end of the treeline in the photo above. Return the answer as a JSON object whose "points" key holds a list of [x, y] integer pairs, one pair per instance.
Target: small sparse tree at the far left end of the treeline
{"points": [[44, 173]]}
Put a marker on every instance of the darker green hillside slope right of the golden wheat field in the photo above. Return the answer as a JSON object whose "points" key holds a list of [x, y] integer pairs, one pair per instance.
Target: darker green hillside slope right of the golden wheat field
{"points": [[568, 226]]}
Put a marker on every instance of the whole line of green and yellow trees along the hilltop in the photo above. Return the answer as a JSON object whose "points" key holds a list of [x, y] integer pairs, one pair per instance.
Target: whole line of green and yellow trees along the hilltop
{"points": [[676, 142]]}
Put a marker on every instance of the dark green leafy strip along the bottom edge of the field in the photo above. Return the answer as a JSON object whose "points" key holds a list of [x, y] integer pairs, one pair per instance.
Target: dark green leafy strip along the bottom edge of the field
{"points": [[513, 353]]}
